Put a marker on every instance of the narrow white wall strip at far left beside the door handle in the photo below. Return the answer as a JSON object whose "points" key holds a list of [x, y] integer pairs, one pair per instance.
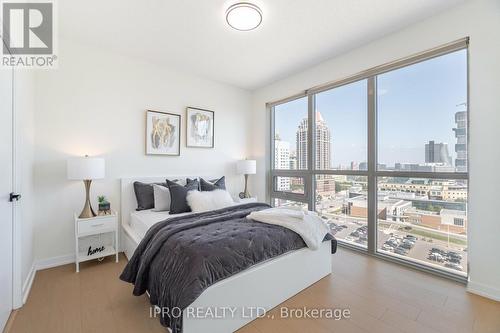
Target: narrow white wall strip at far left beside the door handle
{"points": [[24, 104]]}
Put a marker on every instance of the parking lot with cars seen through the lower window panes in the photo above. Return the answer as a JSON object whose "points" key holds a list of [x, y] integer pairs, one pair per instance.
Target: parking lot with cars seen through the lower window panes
{"points": [[353, 231]]}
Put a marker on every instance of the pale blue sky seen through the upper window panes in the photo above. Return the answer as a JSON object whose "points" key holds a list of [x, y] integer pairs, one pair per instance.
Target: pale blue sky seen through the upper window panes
{"points": [[415, 104]]}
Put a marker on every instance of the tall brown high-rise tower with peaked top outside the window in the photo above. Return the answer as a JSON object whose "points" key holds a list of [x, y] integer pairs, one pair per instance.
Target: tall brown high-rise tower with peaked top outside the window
{"points": [[325, 184]]}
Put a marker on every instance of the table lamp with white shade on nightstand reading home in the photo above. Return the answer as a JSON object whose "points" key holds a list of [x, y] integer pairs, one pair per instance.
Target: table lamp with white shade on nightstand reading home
{"points": [[86, 169]]}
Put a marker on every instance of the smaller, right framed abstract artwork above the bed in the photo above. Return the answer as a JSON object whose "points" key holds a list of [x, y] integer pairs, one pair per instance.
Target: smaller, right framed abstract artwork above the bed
{"points": [[199, 128]]}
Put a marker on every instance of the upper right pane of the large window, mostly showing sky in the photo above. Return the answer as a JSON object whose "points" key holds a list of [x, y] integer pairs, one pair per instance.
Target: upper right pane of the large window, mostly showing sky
{"points": [[422, 118]]}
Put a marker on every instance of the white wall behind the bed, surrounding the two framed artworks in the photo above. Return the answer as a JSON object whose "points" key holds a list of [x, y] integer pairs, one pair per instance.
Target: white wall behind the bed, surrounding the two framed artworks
{"points": [[95, 104]]}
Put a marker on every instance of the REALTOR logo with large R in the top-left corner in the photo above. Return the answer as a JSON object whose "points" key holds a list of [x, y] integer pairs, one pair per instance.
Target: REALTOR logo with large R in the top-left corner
{"points": [[28, 34]]}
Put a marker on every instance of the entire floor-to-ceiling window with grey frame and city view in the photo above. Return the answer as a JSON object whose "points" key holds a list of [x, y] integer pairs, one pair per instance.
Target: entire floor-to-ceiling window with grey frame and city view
{"points": [[385, 164]]}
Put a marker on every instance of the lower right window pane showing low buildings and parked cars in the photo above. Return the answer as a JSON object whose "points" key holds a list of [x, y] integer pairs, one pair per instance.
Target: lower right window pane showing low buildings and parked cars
{"points": [[424, 224]]}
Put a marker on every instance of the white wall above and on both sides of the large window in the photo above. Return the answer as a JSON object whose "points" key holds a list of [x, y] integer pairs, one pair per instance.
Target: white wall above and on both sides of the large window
{"points": [[481, 21]]}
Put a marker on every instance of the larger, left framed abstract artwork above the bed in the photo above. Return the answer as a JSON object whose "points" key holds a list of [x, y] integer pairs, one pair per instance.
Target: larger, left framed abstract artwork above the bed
{"points": [[163, 133]]}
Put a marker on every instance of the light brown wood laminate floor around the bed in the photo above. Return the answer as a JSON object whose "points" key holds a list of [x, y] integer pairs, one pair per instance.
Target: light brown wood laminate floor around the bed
{"points": [[381, 296]]}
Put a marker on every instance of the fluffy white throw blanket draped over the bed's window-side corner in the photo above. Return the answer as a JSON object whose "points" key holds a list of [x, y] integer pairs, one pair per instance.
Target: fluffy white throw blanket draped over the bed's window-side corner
{"points": [[307, 224]]}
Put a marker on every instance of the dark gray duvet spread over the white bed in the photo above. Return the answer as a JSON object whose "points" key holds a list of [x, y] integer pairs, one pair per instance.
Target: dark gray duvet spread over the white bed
{"points": [[180, 257]]}
